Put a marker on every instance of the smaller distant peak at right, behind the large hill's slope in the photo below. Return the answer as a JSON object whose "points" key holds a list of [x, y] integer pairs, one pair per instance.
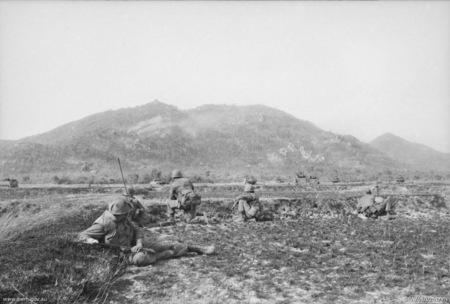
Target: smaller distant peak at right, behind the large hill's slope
{"points": [[417, 156]]}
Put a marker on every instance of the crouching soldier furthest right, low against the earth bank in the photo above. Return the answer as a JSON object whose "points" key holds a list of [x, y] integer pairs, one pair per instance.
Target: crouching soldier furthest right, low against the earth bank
{"points": [[370, 206]]}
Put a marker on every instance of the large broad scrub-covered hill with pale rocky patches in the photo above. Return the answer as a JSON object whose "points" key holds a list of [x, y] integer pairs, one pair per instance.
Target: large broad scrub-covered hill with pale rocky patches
{"points": [[224, 140]]}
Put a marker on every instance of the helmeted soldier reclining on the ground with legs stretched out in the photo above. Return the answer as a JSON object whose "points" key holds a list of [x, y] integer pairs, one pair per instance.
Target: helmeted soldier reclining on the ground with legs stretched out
{"points": [[114, 227]]}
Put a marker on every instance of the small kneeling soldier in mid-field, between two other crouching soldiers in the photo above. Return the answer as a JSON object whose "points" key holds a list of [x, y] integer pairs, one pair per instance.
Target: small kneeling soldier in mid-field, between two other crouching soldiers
{"points": [[249, 206]]}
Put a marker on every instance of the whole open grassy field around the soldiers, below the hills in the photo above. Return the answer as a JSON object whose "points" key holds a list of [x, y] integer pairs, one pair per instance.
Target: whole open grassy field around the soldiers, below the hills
{"points": [[314, 251]]}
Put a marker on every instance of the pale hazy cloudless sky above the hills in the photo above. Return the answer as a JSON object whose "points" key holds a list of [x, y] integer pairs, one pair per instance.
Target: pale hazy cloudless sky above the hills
{"points": [[351, 67]]}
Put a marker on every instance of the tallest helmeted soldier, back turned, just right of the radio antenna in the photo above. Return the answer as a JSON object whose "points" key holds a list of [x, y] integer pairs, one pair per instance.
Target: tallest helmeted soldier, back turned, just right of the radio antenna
{"points": [[182, 196]]}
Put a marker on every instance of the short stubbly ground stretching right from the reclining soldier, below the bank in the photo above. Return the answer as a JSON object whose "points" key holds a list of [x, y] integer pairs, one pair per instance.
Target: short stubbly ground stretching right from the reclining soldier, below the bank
{"points": [[340, 260]]}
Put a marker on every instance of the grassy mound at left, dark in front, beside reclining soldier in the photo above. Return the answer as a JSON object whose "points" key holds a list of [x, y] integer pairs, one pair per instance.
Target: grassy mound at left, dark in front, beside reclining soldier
{"points": [[39, 259]]}
